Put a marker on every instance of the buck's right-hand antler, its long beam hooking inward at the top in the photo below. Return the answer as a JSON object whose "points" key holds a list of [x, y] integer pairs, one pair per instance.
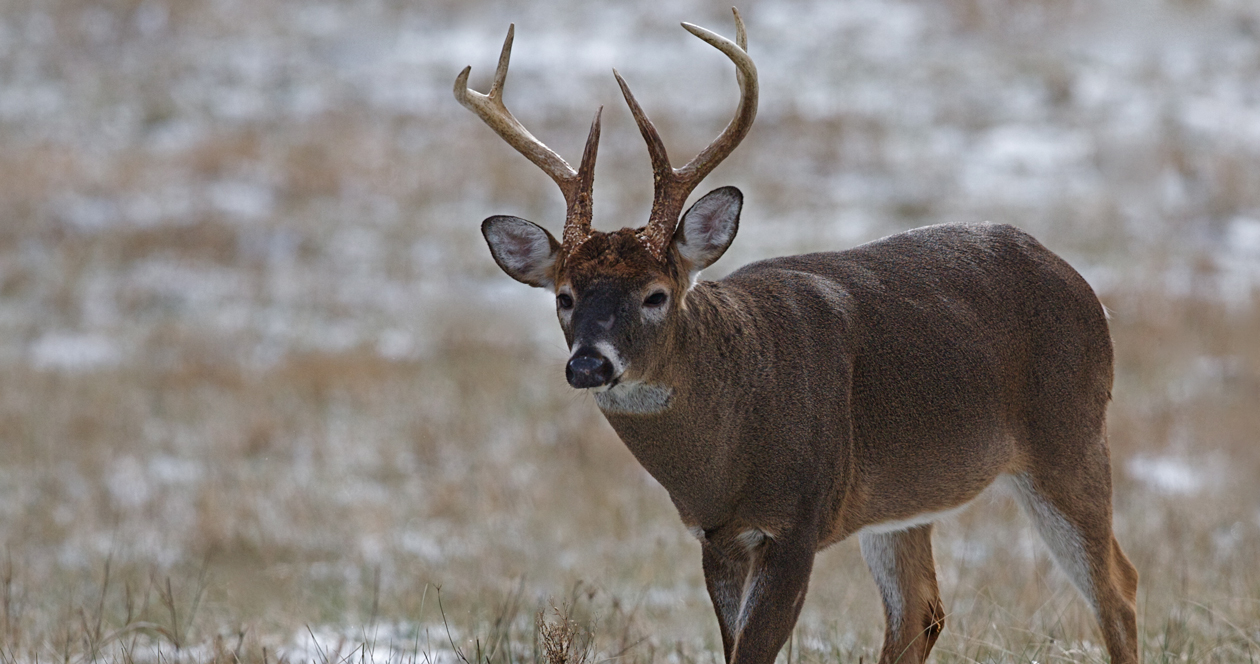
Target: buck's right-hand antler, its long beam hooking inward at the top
{"points": [[673, 186]]}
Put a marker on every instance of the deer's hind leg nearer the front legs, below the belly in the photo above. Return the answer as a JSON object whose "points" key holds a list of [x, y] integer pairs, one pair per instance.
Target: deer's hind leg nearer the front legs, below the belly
{"points": [[905, 571]]}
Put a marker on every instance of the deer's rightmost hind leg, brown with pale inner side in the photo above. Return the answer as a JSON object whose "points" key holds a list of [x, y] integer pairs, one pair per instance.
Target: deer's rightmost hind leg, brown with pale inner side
{"points": [[1074, 518]]}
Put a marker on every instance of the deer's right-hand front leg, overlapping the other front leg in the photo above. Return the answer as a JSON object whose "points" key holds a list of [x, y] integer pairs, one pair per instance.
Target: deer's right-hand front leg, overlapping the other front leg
{"points": [[772, 595]]}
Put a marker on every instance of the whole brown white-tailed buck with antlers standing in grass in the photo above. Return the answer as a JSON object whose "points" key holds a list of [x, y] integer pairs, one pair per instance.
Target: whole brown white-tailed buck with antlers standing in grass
{"points": [[807, 399]]}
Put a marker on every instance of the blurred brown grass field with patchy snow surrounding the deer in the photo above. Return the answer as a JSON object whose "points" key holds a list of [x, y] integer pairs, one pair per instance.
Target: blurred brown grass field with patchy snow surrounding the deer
{"points": [[264, 391]]}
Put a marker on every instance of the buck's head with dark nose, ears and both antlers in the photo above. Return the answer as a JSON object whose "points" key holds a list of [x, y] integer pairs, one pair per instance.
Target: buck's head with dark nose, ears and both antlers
{"points": [[618, 295]]}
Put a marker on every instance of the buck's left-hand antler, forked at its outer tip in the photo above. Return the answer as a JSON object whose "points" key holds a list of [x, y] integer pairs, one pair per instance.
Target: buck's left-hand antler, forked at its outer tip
{"points": [[576, 186]]}
